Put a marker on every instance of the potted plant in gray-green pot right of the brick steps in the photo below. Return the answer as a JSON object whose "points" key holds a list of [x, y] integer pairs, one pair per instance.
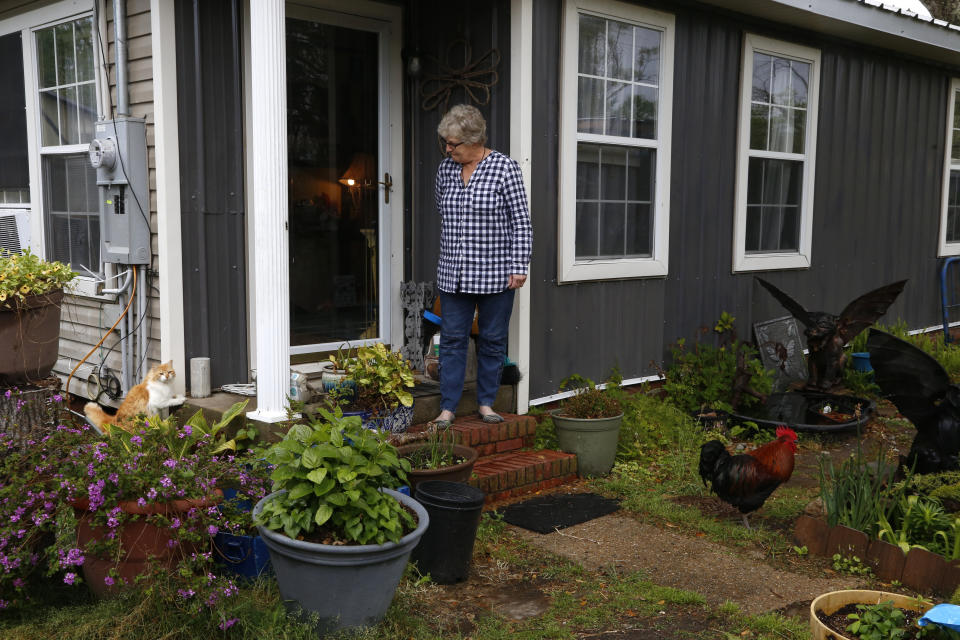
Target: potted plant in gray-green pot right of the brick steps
{"points": [[588, 424]]}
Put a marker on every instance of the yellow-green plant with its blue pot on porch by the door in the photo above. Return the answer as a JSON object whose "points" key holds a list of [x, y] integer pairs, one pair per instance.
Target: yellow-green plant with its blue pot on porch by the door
{"points": [[376, 384]]}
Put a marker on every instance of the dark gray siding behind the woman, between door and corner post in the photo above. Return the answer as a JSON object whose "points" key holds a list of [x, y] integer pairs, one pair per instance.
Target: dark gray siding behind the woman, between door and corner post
{"points": [[433, 29]]}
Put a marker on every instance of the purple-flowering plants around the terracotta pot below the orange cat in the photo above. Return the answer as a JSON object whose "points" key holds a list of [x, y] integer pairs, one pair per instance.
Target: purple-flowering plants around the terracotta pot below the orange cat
{"points": [[122, 510]]}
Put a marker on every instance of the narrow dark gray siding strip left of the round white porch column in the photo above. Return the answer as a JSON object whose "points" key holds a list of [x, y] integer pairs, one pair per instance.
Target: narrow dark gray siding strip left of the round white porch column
{"points": [[209, 100]]}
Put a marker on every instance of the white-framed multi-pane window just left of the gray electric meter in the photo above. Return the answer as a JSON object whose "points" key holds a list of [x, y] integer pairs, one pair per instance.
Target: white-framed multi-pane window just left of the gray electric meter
{"points": [[67, 110]]}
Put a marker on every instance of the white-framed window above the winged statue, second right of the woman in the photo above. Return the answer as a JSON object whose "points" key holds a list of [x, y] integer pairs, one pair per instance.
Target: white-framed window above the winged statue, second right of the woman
{"points": [[775, 159]]}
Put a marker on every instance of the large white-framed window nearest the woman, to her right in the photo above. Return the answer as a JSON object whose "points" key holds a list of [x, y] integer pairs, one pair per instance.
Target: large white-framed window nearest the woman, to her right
{"points": [[615, 137]]}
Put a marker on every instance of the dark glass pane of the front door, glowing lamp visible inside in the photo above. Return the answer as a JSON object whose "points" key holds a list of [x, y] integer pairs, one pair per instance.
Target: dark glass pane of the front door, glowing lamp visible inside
{"points": [[339, 252]]}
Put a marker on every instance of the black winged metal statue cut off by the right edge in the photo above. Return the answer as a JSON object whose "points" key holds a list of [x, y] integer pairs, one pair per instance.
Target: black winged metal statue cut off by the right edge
{"points": [[920, 389]]}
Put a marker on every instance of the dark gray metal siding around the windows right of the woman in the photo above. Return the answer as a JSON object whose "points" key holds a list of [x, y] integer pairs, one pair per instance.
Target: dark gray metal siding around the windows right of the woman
{"points": [[876, 203]]}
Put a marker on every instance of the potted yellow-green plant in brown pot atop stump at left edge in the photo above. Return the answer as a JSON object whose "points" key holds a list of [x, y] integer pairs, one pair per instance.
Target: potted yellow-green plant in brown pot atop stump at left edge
{"points": [[31, 290]]}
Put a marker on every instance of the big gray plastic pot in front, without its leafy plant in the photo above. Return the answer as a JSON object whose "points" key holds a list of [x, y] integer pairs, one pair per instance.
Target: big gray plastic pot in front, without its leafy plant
{"points": [[345, 586]]}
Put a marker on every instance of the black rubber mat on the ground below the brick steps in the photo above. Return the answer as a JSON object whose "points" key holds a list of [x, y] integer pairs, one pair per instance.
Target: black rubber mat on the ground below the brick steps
{"points": [[544, 514]]}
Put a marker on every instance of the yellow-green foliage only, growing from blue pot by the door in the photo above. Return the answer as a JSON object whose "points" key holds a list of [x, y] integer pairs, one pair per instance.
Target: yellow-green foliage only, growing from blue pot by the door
{"points": [[380, 378]]}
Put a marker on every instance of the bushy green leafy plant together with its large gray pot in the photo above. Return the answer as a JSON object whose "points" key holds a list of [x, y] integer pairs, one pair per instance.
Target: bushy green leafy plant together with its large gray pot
{"points": [[339, 535]]}
